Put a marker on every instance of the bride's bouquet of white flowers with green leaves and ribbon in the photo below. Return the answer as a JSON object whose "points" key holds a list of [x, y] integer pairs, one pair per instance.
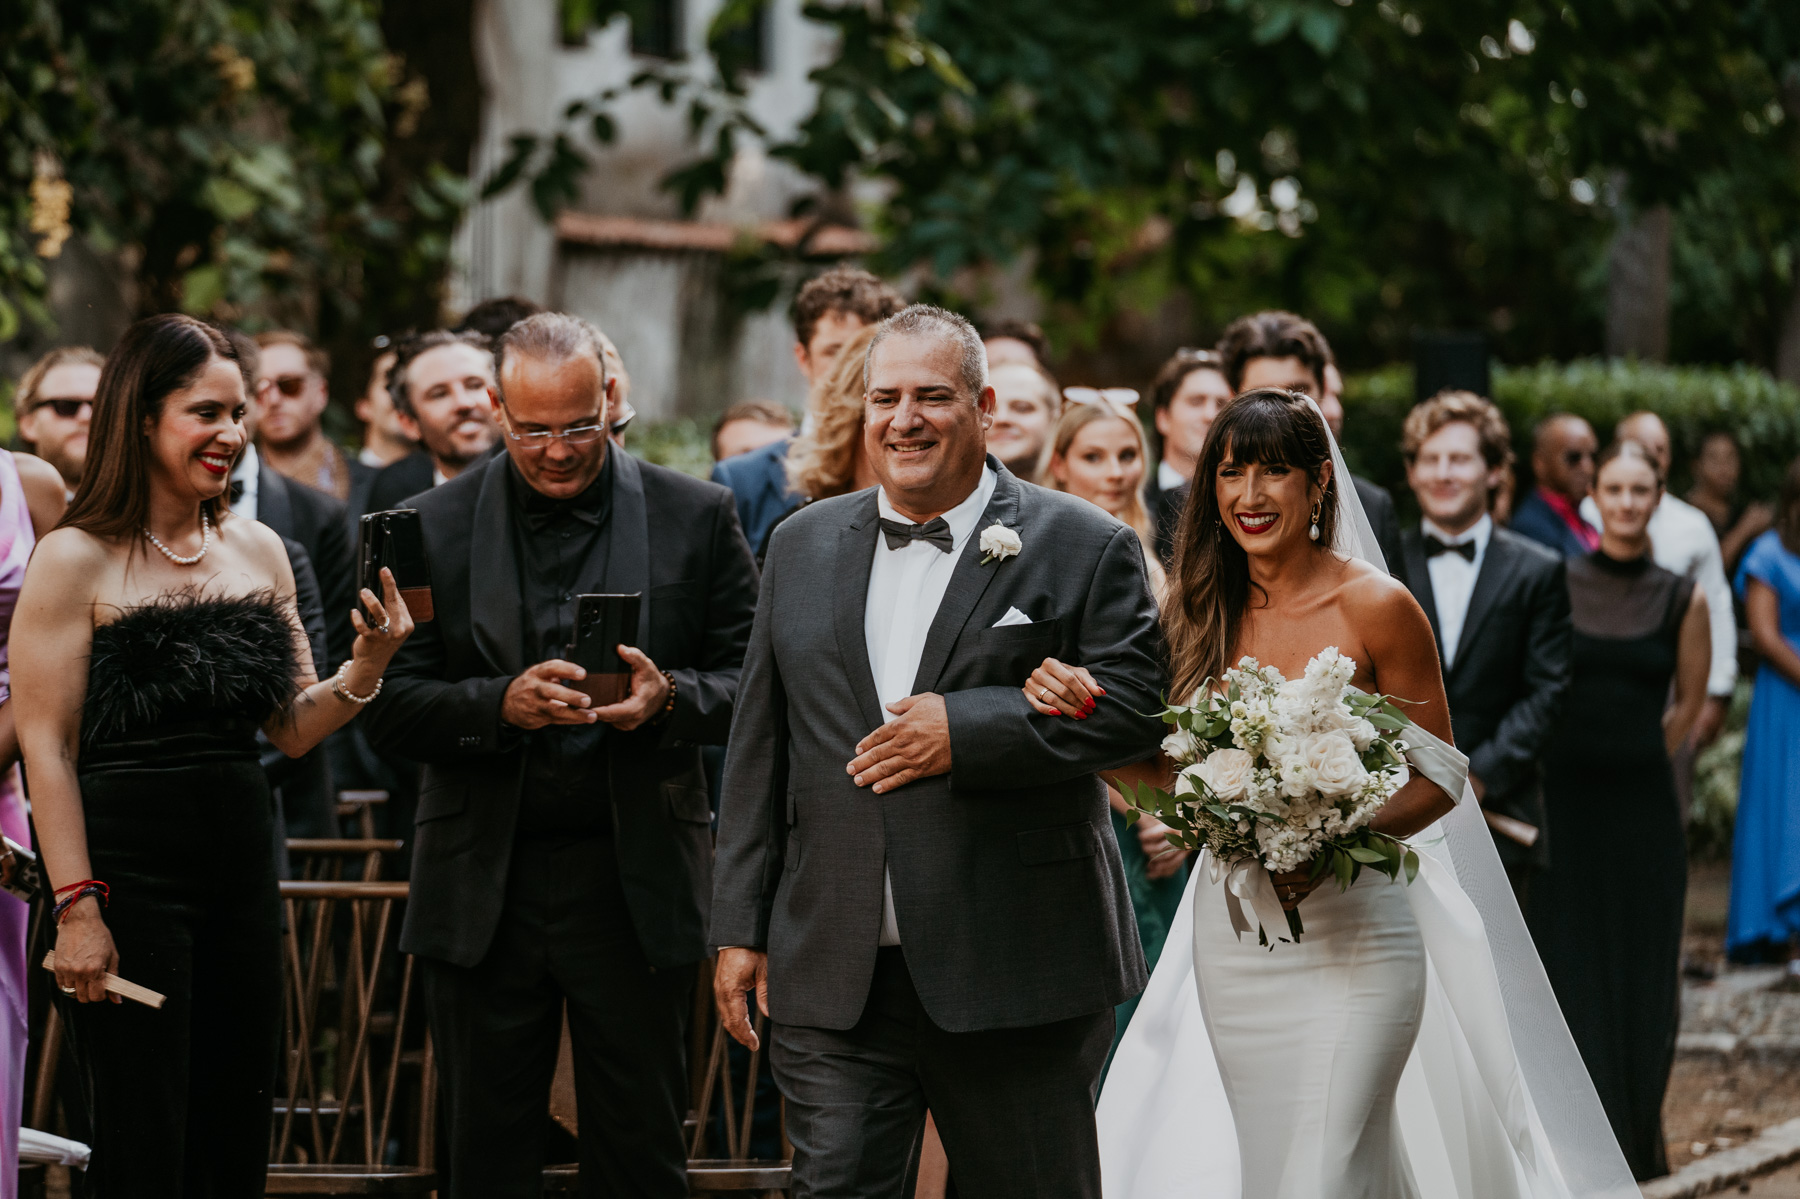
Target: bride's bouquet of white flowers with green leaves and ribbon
{"points": [[1277, 773]]}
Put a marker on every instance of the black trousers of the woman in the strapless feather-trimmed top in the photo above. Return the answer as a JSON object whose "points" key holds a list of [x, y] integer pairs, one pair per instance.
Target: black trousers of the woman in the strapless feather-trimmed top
{"points": [[179, 1099]]}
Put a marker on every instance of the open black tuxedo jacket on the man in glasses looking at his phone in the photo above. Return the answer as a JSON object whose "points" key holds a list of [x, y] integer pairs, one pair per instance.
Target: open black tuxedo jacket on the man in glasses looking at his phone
{"points": [[672, 539]]}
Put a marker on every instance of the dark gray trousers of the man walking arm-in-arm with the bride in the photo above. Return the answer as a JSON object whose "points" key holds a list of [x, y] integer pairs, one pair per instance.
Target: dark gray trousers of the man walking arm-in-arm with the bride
{"points": [[1014, 1106]]}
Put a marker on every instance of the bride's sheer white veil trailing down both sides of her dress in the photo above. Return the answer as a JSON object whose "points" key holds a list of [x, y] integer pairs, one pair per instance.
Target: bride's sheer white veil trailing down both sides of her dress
{"points": [[1495, 1103]]}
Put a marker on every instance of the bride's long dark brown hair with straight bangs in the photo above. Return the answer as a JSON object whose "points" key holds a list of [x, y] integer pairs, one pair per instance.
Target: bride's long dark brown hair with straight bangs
{"points": [[1212, 586]]}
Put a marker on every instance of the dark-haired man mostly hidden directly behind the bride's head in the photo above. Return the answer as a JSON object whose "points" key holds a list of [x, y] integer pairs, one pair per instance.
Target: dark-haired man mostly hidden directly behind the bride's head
{"points": [[1282, 350]]}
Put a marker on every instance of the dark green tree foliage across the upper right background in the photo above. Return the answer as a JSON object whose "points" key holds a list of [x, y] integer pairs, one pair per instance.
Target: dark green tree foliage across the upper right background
{"points": [[1378, 165]]}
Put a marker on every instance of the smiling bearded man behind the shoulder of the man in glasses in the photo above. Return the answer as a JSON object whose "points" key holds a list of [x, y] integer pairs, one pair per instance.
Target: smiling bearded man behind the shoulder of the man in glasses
{"points": [[440, 388]]}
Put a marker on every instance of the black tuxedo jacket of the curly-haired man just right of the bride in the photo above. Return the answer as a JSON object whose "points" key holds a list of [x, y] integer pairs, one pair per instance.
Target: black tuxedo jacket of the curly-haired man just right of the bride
{"points": [[1509, 674]]}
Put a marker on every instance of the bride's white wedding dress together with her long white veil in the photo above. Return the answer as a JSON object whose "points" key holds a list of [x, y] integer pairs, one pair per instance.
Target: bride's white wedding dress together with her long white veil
{"points": [[1407, 1049]]}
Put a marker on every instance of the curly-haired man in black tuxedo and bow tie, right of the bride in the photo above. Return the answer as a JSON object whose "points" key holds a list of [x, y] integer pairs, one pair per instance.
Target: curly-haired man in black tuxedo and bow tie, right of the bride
{"points": [[1500, 609]]}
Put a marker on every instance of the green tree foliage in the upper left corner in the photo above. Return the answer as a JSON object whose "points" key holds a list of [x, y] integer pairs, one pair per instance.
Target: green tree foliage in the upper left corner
{"points": [[237, 154]]}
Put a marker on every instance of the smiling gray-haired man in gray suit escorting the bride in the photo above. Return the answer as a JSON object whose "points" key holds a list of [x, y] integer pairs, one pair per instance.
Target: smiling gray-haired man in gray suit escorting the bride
{"points": [[917, 874]]}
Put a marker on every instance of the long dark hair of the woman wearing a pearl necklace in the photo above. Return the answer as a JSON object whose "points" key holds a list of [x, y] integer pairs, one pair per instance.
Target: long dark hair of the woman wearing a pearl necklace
{"points": [[156, 359]]}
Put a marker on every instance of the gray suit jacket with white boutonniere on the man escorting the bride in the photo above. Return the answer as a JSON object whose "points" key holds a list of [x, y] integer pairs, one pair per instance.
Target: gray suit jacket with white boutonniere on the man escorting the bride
{"points": [[1007, 878]]}
